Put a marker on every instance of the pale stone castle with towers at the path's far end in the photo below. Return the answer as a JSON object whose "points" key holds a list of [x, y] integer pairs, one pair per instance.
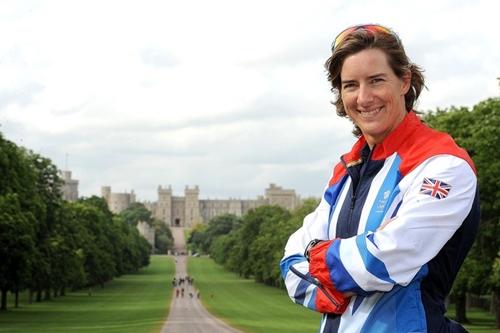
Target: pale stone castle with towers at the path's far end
{"points": [[188, 210]]}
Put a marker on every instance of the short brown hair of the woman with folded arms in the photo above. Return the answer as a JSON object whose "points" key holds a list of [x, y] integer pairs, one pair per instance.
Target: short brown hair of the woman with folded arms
{"points": [[391, 45]]}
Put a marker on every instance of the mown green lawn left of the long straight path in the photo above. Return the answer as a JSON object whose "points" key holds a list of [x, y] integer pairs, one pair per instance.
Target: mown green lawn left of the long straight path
{"points": [[133, 303]]}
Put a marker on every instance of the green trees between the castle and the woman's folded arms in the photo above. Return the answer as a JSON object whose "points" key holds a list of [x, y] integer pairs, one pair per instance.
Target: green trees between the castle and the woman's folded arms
{"points": [[251, 245]]}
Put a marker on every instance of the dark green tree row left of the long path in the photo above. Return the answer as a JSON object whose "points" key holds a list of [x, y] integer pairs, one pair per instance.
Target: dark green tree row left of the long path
{"points": [[49, 245]]}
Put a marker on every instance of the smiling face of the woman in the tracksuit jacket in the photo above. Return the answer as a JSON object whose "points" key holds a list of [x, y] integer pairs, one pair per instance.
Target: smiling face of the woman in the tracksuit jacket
{"points": [[372, 94]]}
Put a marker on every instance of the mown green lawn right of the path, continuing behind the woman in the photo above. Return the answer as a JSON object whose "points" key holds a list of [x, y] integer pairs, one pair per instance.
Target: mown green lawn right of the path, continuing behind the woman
{"points": [[255, 308]]}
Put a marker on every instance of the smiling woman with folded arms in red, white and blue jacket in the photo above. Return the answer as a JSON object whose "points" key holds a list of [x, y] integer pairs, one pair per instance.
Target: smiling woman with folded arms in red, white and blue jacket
{"points": [[400, 212]]}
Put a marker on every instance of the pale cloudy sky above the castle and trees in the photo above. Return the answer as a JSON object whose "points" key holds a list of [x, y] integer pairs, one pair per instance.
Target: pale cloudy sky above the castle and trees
{"points": [[227, 95]]}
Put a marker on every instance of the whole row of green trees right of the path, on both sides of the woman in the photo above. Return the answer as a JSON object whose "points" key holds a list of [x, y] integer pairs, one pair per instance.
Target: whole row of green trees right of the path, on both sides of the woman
{"points": [[252, 245]]}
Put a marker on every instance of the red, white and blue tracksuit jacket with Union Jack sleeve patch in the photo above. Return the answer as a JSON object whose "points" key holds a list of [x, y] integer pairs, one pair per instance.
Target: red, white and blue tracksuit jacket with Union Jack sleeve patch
{"points": [[399, 220]]}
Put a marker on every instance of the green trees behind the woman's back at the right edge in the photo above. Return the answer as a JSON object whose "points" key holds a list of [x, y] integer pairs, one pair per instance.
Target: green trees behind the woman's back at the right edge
{"points": [[478, 132]]}
